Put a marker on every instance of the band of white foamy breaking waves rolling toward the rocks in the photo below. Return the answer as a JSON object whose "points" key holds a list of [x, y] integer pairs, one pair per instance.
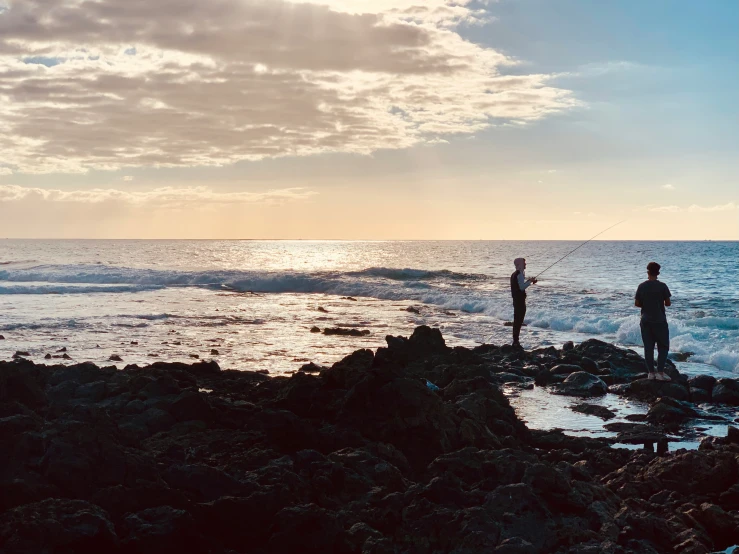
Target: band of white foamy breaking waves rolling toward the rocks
{"points": [[709, 333]]}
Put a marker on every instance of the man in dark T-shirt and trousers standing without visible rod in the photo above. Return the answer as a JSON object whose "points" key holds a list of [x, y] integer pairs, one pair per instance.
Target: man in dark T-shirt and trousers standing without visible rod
{"points": [[652, 296]]}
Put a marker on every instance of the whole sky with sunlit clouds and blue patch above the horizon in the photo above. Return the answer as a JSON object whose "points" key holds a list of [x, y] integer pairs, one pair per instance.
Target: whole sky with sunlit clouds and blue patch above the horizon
{"points": [[369, 119]]}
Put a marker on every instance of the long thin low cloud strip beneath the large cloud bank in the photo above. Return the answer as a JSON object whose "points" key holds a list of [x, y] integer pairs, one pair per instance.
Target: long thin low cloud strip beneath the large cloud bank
{"points": [[164, 197]]}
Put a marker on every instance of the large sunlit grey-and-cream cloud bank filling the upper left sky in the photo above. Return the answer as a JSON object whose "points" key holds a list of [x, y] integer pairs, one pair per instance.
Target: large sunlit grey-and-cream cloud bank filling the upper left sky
{"points": [[104, 84]]}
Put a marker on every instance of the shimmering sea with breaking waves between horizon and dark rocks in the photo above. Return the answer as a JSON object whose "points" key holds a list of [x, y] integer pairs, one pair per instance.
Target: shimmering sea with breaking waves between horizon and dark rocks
{"points": [[252, 304]]}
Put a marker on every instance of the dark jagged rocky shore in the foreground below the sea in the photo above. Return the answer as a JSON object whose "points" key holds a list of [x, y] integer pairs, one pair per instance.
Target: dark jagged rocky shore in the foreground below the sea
{"points": [[412, 448]]}
